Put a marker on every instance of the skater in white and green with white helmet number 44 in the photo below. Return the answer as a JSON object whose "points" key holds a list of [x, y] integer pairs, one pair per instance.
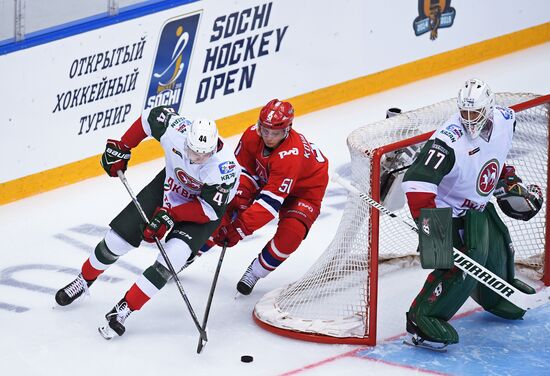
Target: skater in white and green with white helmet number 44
{"points": [[187, 200]]}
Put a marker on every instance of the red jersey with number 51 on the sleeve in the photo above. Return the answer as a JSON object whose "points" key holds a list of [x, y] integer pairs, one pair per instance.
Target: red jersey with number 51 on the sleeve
{"points": [[295, 169]]}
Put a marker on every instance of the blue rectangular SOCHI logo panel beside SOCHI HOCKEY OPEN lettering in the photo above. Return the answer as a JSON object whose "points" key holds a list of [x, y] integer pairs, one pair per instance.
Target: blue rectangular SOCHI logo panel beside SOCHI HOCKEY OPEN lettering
{"points": [[172, 61]]}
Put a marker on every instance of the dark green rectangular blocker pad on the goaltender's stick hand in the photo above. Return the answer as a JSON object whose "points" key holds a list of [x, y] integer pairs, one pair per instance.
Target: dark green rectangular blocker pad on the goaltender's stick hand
{"points": [[436, 238]]}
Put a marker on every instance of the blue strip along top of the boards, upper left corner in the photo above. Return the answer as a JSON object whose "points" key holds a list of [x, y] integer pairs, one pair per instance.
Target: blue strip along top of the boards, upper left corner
{"points": [[88, 24]]}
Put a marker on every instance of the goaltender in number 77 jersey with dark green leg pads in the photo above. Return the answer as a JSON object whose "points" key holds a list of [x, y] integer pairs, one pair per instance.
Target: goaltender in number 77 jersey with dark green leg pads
{"points": [[459, 168]]}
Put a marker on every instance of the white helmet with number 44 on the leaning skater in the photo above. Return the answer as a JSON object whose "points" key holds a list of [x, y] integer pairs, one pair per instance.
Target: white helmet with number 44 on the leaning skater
{"points": [[202, 140]]}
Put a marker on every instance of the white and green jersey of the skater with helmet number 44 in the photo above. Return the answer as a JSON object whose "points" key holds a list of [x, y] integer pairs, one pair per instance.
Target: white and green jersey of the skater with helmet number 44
{"points": [[214, 183]]}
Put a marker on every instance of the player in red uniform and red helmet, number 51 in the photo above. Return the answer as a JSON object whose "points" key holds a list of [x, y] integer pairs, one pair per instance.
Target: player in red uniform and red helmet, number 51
{"points": [[283, 175]]}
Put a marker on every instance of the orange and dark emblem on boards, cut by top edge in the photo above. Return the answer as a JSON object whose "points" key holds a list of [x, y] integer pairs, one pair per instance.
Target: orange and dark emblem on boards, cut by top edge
{"points": [[432, 16]]}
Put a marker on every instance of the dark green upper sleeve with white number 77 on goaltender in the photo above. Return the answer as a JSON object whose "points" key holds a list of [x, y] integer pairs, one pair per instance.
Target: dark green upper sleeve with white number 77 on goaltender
{"points": [[435, 160]]}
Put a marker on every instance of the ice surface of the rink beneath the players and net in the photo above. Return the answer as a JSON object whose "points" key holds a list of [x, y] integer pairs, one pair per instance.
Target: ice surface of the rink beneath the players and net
{"points": [[47, 237]]}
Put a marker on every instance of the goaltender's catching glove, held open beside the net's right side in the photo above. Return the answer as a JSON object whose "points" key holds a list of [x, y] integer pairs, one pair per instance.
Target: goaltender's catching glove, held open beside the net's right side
{"points": [[519, 201]]}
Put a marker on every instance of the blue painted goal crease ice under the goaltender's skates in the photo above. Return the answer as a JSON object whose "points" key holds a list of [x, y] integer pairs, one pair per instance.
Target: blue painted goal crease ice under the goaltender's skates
{"points": [[488, 346]]}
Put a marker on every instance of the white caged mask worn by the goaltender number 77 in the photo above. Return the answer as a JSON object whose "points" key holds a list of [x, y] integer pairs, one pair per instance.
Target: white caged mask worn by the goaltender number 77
{"points": [[475, 102]]}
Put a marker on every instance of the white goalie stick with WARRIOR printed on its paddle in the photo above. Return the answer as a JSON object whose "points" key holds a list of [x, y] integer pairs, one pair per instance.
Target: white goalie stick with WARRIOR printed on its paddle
{"points": [[463, 262]]}
